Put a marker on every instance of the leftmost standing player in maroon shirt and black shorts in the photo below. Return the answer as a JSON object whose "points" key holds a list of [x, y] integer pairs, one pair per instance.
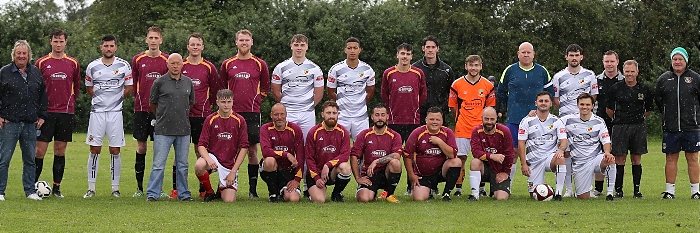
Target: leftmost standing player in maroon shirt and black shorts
{"points": [[62, 78]]}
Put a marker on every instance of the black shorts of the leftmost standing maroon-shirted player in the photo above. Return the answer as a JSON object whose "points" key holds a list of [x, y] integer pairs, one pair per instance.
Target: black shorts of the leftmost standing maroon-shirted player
{"points": [[58, 126]]}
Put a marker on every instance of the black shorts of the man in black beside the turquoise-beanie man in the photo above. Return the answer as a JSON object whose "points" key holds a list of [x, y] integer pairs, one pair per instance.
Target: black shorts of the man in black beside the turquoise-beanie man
{"points": [[632, 138]]}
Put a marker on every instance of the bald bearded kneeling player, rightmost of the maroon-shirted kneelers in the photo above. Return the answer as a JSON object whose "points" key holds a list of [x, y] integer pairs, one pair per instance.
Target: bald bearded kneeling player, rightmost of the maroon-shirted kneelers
{"points": [[493, 153]]}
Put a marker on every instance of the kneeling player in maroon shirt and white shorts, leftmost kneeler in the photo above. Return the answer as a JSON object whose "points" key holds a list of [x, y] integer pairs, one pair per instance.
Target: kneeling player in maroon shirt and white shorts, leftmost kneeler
{"points": [[223, 144]]}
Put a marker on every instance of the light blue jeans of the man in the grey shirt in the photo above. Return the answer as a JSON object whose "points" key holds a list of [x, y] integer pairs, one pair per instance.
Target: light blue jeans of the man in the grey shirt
{"points": [[161, 148]]}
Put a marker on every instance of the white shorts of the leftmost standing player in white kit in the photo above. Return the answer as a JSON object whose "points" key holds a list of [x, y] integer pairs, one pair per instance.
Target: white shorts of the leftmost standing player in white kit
{"points": [[110, 124]]}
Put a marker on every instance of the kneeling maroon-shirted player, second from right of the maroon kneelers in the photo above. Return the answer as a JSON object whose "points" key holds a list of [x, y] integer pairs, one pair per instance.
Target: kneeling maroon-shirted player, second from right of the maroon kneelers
{"points": [[430, 157]]}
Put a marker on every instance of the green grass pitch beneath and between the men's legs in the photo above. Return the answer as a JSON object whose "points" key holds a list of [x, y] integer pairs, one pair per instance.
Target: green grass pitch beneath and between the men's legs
{"points": [[106, 214]]}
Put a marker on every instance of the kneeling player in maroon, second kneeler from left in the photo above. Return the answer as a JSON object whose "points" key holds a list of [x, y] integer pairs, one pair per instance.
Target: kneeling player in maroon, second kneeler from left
{"points": [[282, 146]]}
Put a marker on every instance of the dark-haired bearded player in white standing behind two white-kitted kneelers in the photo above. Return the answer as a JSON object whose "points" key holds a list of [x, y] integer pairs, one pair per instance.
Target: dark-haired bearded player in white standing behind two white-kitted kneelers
{"points": [[568, 84]]}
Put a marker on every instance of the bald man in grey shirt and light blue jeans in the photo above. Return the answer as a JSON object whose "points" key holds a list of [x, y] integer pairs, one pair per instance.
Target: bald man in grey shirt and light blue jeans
{"points": [[171, 97]]}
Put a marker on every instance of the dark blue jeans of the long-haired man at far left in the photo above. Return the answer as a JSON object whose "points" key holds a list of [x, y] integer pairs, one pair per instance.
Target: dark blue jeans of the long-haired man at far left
{"points": [[25, 133]]}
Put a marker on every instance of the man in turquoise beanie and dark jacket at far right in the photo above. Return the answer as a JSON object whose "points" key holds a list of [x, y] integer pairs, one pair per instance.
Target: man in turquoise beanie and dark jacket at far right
{"points": [[678, 98]]}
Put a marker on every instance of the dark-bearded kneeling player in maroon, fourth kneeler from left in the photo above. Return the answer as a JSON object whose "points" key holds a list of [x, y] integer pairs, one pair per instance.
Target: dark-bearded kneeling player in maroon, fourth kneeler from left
{"points": [[379, 149]]}
